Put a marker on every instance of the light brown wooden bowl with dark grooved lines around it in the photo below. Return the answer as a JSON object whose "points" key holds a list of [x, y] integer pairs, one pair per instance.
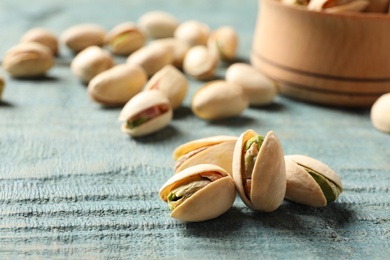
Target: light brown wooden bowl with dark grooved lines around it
{"points": [[331, 59]]}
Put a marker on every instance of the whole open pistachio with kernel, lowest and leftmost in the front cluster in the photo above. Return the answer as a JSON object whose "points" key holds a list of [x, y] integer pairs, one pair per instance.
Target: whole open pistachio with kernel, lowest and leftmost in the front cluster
{"points": [[199, 193]]}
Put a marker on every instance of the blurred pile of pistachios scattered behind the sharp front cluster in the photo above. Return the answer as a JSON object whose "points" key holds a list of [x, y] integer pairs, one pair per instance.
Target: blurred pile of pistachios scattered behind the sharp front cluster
{"points": [[161, 52]]}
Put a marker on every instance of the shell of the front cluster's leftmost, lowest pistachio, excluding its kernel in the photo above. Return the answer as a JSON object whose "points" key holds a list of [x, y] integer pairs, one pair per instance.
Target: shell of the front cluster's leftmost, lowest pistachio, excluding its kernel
{"points": [[209, 202]]}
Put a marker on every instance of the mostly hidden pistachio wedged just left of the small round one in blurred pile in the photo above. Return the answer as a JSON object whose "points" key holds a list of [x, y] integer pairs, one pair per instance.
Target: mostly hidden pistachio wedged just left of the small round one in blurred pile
{"points": [[179, 47]]}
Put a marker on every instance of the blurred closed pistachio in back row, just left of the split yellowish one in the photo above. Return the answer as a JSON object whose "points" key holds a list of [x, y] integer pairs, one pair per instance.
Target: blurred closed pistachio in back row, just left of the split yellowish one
{"points": [[81, 36]]}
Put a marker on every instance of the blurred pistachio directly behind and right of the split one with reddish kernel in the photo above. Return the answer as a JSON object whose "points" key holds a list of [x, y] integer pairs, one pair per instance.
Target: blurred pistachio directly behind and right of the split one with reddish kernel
{"points": [[172, 83]]}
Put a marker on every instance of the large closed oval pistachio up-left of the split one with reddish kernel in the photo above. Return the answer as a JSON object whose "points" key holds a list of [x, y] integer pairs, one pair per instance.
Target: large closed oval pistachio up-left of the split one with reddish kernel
{"points": [[117, 85]]}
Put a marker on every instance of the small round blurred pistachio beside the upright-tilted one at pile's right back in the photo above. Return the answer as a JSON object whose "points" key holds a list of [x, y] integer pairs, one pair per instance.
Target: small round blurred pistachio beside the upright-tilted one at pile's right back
{"points": [[200, 63]]}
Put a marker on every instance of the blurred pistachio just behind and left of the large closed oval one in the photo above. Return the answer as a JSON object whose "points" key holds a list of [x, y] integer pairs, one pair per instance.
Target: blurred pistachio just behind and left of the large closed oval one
{"points": [[90, 62]]}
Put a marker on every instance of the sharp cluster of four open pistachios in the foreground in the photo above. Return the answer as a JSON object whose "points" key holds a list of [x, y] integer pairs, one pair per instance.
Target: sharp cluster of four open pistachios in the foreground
{"points": [[210, 171]]}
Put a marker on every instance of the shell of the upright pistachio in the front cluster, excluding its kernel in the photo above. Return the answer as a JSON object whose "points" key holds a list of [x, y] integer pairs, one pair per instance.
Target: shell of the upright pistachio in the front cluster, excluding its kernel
{"points": [[268, 179]]}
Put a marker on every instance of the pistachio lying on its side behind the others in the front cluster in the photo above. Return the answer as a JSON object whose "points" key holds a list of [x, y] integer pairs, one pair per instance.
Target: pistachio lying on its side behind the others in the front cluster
{"points": [[216, 150]]}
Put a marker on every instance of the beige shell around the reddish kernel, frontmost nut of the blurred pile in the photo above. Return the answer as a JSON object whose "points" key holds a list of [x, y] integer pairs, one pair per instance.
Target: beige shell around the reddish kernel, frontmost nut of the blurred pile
{"points": [[141, 102]]}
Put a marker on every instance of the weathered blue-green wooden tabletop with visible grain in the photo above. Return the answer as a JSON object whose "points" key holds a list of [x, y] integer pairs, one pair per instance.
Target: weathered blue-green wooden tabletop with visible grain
{"points": [[73, 186]]}
